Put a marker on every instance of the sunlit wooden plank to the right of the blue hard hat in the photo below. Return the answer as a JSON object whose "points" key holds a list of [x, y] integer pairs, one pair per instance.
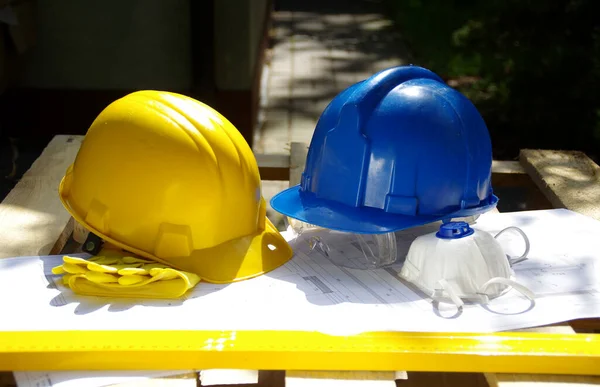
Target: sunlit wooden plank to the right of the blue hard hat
{"points": [[569, 179]]}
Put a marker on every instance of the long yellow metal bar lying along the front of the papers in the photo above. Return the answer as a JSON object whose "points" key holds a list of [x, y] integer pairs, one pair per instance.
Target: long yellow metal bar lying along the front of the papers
{"points": [[512, 352]]}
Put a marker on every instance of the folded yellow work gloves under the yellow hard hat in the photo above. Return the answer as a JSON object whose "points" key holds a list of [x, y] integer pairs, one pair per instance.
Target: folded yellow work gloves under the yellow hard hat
{"points": [[130, 277]]}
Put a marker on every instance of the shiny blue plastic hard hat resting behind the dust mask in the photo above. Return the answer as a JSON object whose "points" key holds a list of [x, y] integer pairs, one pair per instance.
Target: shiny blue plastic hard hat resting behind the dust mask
{"points": [[397, 150]]}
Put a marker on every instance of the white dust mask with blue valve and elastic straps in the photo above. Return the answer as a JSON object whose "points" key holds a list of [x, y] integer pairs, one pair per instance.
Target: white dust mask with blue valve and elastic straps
{"points": [[460, 263]]}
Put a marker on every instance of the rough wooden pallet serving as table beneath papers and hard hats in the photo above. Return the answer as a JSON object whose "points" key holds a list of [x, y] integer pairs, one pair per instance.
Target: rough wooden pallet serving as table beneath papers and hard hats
{"points": [[33, 222]]}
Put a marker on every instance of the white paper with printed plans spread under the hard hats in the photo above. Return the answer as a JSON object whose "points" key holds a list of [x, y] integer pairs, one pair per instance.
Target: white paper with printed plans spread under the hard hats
{"points": [[311, 293]]}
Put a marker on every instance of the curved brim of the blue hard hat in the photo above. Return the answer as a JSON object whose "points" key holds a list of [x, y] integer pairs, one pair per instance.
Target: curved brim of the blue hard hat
{"points": [[364, 220]]}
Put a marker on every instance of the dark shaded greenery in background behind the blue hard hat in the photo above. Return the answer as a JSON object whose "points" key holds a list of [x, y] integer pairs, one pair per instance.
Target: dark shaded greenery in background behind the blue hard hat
{"points": [[532, 67]]}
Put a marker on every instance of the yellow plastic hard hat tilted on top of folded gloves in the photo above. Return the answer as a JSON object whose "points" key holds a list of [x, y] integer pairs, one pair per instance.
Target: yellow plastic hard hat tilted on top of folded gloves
{"points": [[167, 177]]}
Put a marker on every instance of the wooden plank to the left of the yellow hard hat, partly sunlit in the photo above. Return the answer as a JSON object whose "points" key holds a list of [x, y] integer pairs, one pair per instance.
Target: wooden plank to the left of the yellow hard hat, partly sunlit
{"points": [[32, 218]]}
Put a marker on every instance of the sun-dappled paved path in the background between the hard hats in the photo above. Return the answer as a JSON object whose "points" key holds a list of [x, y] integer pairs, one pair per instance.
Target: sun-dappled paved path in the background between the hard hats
{"points": [[319, 49]]}
